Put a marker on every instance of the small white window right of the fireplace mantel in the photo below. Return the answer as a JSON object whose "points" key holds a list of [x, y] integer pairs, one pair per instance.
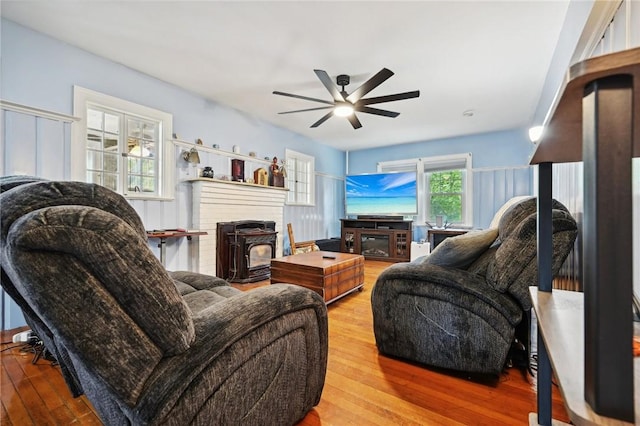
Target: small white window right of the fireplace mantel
{"points": [[300, 169]]}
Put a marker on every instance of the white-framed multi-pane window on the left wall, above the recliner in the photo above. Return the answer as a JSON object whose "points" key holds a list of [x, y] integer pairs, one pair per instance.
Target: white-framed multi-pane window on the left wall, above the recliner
{"points": [[123, 146]]}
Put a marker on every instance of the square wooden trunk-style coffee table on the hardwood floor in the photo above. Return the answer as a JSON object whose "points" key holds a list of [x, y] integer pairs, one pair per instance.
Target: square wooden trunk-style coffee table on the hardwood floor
{"points": [[332, 275]]}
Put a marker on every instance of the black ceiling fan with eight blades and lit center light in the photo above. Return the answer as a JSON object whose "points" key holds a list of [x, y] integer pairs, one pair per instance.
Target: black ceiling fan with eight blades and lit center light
{"points": [[345, 104]]}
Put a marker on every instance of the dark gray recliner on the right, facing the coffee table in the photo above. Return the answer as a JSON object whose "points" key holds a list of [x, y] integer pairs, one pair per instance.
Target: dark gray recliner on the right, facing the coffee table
{"points": [[458, 308]]}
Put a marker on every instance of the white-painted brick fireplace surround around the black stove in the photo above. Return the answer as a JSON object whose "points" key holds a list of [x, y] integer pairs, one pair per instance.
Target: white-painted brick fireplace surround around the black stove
{"points": [[226, 201]]}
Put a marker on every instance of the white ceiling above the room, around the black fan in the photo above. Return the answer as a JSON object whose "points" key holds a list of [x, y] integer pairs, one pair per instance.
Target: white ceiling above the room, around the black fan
{"points": [[490, 57]]}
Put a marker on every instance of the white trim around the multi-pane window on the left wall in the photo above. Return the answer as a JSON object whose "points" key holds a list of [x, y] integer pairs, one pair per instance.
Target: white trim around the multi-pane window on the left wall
{"points": [[82, 98]]}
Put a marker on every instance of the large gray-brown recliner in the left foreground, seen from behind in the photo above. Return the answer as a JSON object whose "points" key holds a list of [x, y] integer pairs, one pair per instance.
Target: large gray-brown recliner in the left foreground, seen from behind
{"points": [[145, 345]]}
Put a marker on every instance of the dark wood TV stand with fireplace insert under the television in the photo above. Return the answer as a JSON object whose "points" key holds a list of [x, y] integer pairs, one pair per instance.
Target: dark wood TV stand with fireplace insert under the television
{"points": [[382, 238]]}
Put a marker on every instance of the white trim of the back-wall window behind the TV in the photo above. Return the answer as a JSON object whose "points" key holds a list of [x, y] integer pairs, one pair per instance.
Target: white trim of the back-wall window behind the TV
{"points": [[424, 165]]}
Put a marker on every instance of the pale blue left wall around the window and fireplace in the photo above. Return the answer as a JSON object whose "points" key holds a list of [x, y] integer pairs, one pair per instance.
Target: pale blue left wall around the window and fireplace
{"points": [[40, 72]]}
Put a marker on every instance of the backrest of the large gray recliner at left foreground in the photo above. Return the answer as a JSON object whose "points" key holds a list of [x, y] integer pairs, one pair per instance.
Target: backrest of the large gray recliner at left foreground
{"points": [[65, 252]]}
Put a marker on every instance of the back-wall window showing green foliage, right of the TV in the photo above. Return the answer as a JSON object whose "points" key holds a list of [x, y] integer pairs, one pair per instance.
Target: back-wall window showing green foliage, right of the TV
{"points": [[444, 186]]}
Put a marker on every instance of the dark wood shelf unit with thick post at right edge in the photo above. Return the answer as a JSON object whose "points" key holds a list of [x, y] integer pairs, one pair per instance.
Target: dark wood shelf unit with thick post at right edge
{"points": [[587, 337]]}
